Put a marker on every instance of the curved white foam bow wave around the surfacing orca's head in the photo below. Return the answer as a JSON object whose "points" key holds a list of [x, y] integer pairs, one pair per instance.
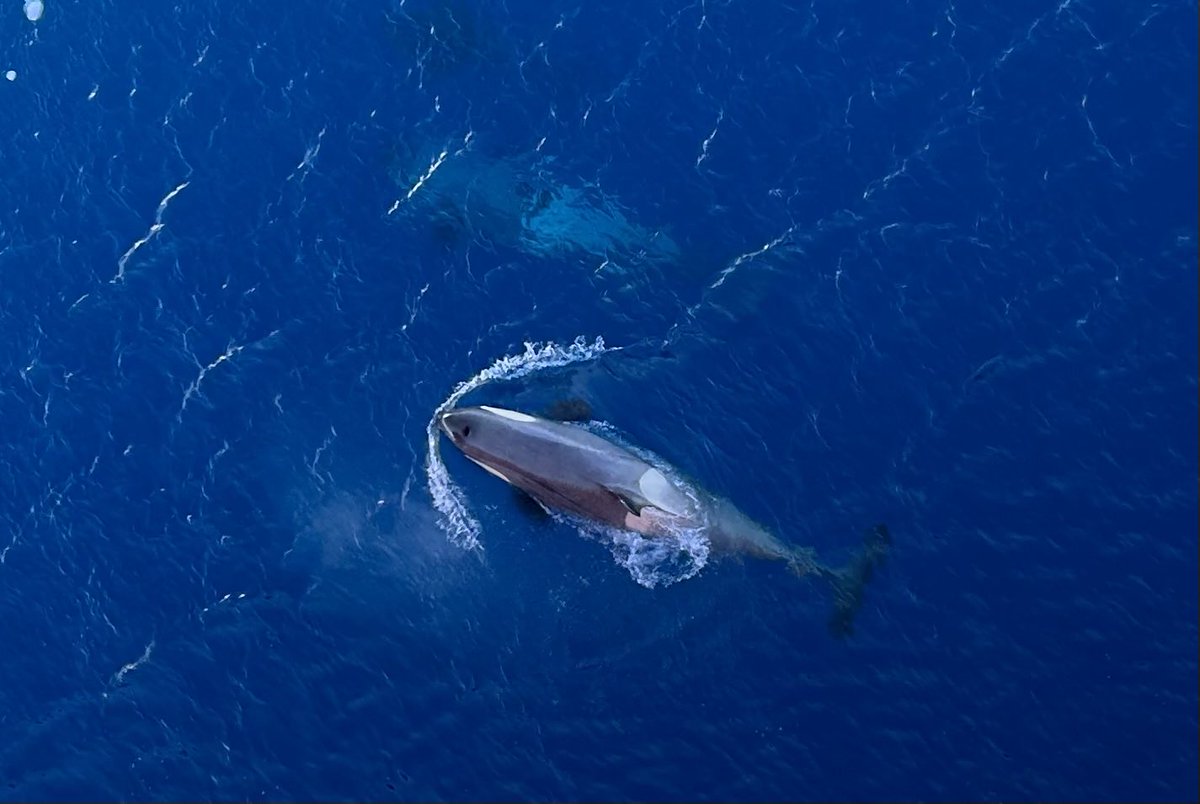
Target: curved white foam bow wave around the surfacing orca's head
{"points": [[463, 529]]}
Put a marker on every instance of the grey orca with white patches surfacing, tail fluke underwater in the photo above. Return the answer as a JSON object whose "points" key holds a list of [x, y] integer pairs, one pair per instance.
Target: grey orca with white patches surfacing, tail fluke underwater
{"points": [[568, 469]]}
